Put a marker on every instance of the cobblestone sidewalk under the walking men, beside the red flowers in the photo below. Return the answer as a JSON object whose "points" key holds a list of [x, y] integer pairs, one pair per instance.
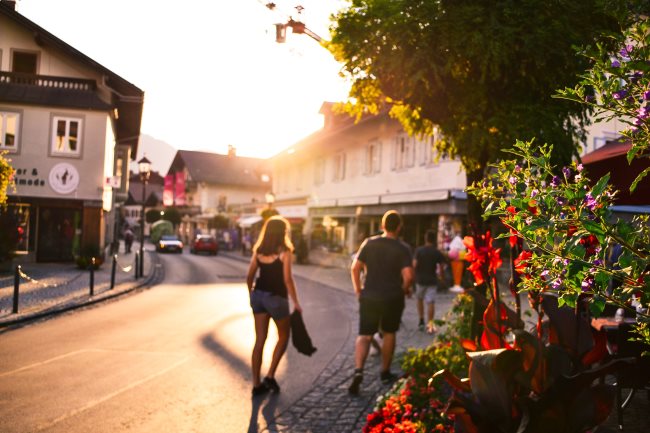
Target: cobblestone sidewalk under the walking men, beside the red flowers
{"points": [[327, 407]]}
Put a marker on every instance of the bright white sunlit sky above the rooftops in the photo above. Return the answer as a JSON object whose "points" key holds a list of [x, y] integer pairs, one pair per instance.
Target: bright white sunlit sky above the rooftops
{"points": [[211, 70]]}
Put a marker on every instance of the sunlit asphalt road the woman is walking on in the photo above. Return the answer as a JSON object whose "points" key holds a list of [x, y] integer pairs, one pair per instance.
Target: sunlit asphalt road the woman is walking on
{"points": [[172, 358]]}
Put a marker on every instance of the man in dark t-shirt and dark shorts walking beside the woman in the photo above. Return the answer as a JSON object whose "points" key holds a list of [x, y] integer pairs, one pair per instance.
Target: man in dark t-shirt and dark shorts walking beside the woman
{"points": [[386, 262]]}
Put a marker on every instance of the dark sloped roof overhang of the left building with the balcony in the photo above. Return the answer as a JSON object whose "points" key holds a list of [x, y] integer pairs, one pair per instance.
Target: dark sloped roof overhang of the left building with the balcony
{"points": [[126, 97]]}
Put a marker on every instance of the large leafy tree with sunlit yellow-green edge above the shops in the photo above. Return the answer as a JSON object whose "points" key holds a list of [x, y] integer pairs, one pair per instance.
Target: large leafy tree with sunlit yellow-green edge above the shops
{"points": [[482, 71]]}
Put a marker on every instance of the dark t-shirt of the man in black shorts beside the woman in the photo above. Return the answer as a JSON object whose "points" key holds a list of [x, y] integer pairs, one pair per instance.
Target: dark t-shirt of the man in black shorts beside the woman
{"points": [[384, 259]]}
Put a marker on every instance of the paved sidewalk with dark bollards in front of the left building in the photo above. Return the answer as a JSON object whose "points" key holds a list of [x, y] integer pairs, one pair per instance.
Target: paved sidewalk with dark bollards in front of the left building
{"points": [[53, 288]]}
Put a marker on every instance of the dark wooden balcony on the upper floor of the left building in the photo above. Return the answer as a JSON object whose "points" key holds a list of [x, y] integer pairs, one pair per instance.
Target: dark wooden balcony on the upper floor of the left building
{"points": [[32, 89]]}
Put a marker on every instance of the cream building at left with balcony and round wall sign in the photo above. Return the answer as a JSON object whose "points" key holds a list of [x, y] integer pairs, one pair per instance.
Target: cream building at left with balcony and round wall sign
{"points": [[70, 127]]}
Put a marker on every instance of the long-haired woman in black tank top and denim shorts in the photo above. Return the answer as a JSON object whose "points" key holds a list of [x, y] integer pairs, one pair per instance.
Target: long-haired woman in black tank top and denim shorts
{"points": [[269, 293]]}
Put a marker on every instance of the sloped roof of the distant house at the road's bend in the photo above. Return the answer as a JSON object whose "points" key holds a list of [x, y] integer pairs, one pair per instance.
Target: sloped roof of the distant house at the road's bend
{"points": [[218, 169]]}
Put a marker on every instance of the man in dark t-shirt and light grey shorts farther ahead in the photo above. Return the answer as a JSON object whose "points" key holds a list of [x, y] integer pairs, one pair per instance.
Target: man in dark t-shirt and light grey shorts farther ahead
{"points": [[428, 264]]}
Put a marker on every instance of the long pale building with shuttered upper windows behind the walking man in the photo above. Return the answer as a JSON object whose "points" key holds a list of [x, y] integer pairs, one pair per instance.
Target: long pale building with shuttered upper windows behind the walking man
{"points": [[338, 182]]}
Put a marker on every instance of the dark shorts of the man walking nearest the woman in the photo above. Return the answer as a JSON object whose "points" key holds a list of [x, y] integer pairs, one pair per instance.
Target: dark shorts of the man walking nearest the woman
{"points": [[380, 315]]}
